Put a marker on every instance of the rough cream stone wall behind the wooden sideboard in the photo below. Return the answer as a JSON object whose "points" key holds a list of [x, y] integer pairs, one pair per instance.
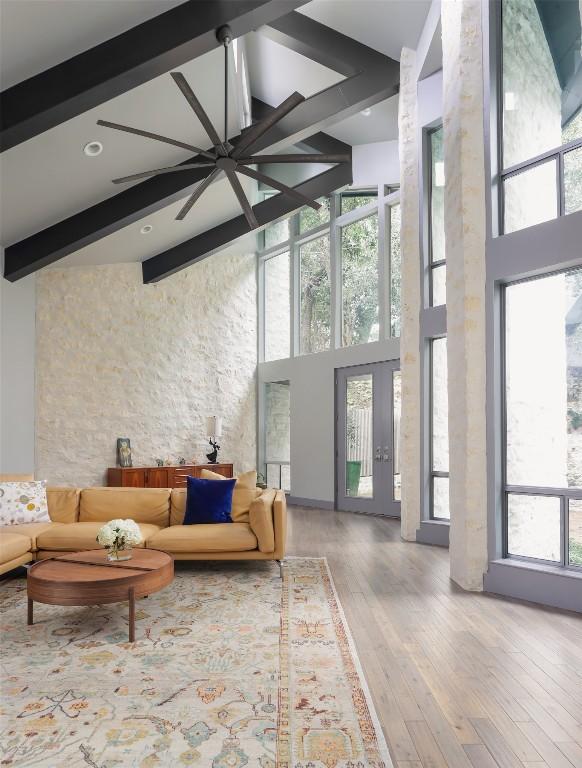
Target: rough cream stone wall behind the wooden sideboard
{"points": [[116, 358]]}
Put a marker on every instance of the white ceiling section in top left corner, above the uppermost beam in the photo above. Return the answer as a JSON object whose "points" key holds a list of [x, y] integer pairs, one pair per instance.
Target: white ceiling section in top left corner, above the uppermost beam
{"points": [[38, 34]]}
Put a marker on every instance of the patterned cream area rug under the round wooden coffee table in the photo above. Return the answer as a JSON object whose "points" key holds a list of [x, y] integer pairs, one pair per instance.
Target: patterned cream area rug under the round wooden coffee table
{"points": [[232, 667]]}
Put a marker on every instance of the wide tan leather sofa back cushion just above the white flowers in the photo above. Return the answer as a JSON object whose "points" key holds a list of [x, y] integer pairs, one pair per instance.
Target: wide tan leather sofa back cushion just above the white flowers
{"points": [[144, 505]]}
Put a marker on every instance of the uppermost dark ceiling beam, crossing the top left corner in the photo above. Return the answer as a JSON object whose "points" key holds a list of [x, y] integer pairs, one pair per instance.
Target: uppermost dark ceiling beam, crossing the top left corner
{"points": [[132, 58]]}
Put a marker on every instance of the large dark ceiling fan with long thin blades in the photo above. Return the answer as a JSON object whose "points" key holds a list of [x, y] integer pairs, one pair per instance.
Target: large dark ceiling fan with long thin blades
{"points": [[225, 157]]}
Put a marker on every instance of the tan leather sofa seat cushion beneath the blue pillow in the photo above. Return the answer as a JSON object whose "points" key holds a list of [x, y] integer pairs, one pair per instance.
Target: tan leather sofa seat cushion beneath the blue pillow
{"points": [[211, 537]]}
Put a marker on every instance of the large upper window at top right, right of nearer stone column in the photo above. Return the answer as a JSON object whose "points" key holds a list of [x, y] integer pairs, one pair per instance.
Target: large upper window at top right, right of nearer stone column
{"points": [[540, 103]]}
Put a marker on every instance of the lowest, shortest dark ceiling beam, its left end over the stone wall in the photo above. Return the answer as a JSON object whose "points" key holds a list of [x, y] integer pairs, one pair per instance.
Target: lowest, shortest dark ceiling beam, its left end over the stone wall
{"points": [[213, 240]]}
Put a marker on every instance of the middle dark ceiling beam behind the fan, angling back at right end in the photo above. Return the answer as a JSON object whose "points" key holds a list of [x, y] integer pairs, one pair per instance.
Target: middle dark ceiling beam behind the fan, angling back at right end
{"points": [[376, 78]]}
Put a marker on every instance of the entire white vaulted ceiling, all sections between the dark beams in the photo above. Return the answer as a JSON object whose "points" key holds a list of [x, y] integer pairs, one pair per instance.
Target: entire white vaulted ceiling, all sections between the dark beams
{"points": [[48, 178]]}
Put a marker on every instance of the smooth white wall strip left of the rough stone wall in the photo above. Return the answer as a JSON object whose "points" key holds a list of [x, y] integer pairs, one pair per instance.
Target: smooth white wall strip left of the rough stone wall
{"points": [[17, 375]]}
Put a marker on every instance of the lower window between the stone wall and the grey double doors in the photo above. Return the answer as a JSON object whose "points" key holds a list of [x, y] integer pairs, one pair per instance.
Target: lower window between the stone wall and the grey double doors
{"points": [[277, 435]]}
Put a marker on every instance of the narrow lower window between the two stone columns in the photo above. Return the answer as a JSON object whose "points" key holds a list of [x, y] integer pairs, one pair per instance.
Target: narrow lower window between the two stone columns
{"points": [[439, 431]]}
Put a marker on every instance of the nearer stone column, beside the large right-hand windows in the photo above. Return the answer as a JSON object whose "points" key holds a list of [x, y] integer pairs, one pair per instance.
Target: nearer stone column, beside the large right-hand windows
{"points": [[463, 121]]}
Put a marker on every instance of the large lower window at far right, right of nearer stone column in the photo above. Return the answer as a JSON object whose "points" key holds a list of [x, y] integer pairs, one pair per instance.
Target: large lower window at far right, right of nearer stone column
{"points": [[543, 417]]}
